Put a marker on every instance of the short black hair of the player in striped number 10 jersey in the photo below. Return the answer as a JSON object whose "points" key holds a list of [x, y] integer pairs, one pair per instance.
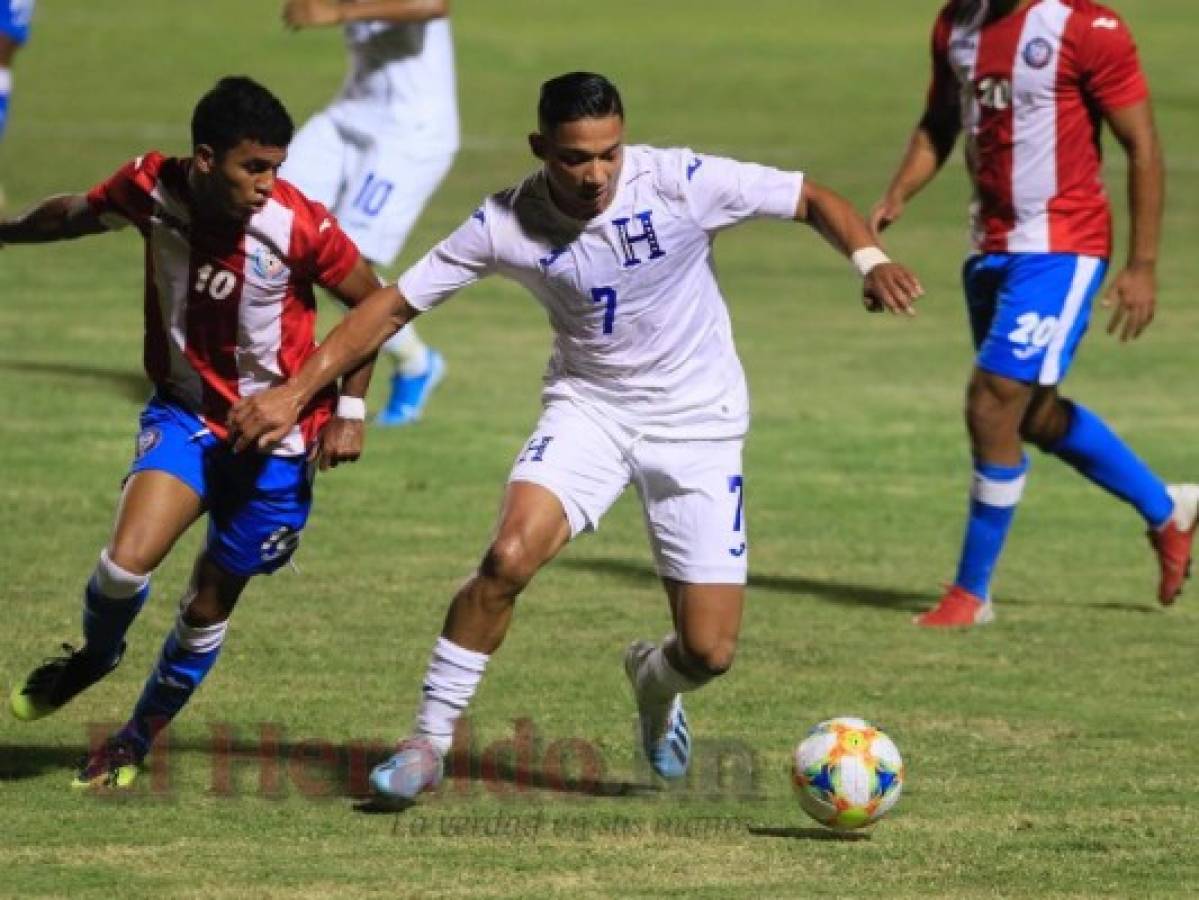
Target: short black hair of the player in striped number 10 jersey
{"points": [[237, 110]]}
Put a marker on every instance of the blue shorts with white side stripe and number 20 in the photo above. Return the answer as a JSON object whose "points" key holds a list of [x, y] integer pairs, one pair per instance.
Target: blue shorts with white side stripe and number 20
{"points": [[1029, 311]]}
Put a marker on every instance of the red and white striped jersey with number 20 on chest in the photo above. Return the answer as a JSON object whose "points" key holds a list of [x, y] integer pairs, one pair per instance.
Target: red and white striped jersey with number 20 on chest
{"points": [[1032, 88]]}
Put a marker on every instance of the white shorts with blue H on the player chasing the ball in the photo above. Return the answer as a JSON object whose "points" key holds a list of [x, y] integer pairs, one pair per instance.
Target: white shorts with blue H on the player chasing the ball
{"points": [[692, 492]]}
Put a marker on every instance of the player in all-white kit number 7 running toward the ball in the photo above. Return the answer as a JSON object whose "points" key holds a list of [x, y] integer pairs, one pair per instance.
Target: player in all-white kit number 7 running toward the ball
{"points": [[644, 388]]}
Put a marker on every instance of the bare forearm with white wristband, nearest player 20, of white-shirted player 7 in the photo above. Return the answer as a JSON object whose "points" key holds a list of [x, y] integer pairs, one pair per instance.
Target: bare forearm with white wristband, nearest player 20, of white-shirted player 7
{"points": [[885, 285]]}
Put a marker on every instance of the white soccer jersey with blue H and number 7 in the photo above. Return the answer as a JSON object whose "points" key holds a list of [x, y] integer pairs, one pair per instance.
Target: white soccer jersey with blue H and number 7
{"points": [[641, 330]]}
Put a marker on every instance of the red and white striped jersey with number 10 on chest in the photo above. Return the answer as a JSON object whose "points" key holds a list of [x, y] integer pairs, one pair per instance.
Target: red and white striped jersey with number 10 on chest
{"points": [[230, 312]]}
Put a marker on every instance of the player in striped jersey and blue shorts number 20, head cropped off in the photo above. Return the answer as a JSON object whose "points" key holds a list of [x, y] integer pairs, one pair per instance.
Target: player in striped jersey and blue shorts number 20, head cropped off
{"points": [[1032, 82]]}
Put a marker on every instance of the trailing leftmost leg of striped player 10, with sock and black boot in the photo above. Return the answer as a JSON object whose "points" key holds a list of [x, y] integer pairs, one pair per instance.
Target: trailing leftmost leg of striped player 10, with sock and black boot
{"points": [[155, 510]]}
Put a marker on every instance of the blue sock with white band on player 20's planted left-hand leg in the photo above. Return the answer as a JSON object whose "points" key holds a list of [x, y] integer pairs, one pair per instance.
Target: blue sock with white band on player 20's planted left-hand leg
{"points": [[995, 494]]}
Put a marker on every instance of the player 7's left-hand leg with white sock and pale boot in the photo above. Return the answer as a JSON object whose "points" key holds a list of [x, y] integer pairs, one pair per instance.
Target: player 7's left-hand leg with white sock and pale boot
{"points": [[533, 529]]}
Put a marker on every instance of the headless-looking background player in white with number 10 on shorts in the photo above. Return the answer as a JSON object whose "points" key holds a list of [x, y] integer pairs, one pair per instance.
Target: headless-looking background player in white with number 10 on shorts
{"points": [[377, 154]]}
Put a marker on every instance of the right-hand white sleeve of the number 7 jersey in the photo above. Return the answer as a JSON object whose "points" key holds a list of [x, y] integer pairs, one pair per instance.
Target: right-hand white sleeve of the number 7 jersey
{"points": [[724, 192]]}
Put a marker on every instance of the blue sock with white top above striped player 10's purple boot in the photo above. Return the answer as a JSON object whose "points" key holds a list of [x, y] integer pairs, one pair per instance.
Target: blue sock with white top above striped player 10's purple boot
{"points": [[188, 656]]}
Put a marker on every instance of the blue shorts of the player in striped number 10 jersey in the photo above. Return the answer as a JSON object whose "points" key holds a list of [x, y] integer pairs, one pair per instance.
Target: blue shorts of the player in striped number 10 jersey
{"points": [[257, 504]]}
